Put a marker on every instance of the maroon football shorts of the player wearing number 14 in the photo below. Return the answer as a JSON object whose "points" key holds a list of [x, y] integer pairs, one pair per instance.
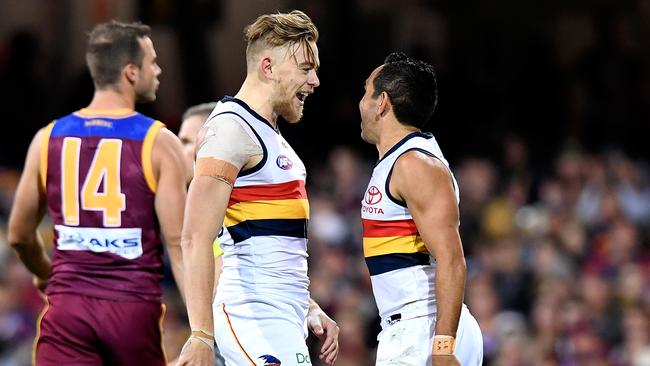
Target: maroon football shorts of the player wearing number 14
{"points": [[81, 330]]}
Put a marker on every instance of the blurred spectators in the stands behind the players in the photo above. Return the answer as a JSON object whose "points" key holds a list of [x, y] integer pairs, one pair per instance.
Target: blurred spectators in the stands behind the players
{"points": [[558, 263]]}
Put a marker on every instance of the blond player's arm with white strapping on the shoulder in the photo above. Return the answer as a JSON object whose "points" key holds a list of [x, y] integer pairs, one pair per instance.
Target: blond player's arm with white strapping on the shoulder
{"points": [[207, 201]]}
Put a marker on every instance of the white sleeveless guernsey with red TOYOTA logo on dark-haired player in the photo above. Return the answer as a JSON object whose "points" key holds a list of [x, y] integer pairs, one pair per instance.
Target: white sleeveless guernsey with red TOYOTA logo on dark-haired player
{"points": [[402, 271]]}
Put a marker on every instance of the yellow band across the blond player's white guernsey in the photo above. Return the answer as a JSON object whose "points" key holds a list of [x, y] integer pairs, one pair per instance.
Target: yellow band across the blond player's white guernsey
{"points": [[267, 209]]}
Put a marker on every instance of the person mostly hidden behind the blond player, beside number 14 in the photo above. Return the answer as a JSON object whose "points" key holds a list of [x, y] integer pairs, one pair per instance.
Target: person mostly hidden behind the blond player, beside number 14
{"points": [[193, 120]]}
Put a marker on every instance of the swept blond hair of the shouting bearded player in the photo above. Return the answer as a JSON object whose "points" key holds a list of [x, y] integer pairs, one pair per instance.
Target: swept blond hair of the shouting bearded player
{"points": [[281, 29]]}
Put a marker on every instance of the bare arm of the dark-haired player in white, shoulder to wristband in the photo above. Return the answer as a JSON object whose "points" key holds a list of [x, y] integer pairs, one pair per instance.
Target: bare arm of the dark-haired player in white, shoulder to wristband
{"points": [[425, 184]]}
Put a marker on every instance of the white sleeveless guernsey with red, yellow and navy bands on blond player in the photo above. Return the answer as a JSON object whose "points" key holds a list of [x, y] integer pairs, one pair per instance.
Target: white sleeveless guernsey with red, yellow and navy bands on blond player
{"points": [[266, 218]]}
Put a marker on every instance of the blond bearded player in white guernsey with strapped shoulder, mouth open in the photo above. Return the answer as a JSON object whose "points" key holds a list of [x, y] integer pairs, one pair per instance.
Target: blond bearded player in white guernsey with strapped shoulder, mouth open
{"points": [[249, 178]]}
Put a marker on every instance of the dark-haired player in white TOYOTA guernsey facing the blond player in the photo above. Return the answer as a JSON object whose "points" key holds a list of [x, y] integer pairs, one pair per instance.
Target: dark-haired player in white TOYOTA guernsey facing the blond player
{"points": [[410, 225]]}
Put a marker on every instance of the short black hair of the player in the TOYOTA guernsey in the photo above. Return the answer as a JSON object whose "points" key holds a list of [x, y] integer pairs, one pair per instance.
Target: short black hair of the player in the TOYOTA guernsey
{"points": [[411, 87]]}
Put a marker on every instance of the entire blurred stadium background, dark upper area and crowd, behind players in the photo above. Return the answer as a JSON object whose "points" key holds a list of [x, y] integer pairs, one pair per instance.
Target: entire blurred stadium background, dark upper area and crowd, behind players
{"points": [[544, 115]]}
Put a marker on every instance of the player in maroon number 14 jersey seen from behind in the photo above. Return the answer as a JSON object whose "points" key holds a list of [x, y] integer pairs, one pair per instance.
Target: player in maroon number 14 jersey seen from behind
{"points": [[113, 182]]}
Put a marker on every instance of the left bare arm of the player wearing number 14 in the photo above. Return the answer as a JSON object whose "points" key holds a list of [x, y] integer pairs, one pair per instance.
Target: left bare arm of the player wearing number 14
{"points": [[27, 211]]}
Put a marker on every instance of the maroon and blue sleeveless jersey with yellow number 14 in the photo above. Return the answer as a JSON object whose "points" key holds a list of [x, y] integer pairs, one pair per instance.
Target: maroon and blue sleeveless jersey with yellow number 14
{"points": [[97, 174]]}
